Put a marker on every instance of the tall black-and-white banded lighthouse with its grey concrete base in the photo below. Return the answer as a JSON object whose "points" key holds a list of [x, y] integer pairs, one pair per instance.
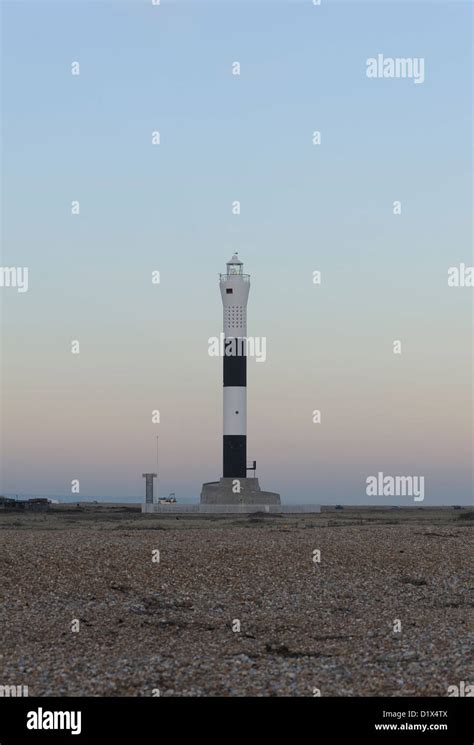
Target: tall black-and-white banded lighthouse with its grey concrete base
{"points": [[234, 487]]}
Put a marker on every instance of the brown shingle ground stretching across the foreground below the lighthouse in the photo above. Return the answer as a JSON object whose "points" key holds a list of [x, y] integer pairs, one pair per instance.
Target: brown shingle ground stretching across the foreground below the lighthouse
{"points": [[236, 606]]}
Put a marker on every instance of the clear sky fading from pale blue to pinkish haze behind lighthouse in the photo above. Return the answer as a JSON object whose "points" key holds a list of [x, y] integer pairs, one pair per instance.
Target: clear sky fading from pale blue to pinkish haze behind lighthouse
{"points": [[304, 207]]}
